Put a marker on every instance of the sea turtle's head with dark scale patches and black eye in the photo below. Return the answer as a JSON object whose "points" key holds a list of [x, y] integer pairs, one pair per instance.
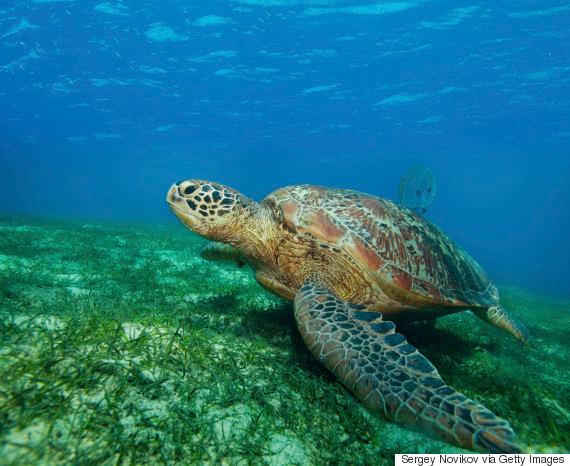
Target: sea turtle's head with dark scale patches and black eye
{"points": [[210, 209]]}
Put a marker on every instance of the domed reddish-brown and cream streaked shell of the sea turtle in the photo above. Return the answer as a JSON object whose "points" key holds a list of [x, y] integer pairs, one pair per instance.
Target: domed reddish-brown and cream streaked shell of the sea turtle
{"points": [[415, 262]]}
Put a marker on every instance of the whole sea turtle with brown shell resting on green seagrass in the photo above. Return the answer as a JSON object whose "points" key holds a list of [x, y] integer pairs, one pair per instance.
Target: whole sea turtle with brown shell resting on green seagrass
{"points": [[354, 264]]}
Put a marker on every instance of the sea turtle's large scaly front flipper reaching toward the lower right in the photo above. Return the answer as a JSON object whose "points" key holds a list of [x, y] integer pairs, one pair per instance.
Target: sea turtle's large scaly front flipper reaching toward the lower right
{"points": [[389, 375]]}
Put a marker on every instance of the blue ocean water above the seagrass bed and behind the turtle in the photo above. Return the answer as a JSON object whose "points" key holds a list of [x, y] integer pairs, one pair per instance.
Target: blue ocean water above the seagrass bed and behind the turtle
{"points": [[104, 104]]}
